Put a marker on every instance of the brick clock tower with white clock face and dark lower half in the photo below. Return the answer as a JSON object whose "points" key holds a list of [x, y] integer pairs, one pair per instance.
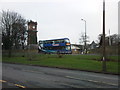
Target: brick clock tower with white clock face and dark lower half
{"points": [[32, 32]]}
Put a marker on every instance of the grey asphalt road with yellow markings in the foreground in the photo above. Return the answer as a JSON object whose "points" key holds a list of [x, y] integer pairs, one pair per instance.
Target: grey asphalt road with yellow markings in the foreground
{"points": [[25, 76]]}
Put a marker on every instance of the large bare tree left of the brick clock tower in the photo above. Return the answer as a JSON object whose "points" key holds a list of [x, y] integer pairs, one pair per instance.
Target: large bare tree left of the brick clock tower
{"points": [[13, 29]]}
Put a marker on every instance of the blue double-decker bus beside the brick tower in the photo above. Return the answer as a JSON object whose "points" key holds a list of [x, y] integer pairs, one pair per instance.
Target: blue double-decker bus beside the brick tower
{"points": [[61, 46]]}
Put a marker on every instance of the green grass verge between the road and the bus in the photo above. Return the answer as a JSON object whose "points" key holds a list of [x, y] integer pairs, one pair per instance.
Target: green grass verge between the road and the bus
{"points": [[80, 62]]}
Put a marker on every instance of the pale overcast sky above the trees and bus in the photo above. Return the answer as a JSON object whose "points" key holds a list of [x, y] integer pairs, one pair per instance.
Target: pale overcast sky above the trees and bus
{"points": [[62, 18]]}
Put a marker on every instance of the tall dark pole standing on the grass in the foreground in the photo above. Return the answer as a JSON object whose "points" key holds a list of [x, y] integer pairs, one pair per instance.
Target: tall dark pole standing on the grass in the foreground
{"points": [[103, 44]]}
